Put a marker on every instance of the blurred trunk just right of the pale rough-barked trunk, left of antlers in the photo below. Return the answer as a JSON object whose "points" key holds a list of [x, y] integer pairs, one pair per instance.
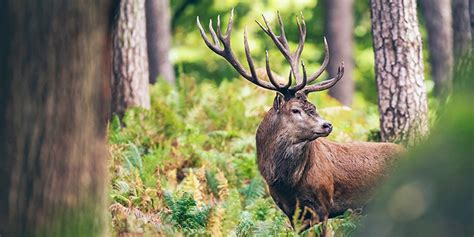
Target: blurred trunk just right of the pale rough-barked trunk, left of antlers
{"points": [[158, 26]]}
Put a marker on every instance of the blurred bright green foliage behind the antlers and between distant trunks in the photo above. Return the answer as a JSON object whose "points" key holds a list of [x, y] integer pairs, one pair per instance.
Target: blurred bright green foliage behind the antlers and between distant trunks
{"points": [[191, 56]]}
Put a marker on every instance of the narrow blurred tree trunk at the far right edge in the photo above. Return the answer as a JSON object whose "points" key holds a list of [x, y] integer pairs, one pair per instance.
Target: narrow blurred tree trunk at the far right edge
{"points": [[461, 27]]}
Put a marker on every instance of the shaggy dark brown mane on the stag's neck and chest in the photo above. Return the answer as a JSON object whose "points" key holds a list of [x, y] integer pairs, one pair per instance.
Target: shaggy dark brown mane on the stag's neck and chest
{"points": [[281, 161]]}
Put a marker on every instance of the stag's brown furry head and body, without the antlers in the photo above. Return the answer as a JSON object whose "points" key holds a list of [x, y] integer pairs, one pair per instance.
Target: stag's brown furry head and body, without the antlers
{"points": [[324, 176]]}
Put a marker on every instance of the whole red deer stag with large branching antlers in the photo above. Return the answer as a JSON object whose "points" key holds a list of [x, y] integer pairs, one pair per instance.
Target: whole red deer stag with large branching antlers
{"points": [[300, 167]]}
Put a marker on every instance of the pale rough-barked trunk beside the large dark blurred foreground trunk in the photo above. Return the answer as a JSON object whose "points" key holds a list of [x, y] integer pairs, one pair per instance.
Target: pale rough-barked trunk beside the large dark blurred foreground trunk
{"points": [[130, 60]]}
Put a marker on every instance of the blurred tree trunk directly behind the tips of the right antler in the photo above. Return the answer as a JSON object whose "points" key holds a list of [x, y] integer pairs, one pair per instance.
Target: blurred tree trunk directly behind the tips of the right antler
{"points": [[339, 26]]}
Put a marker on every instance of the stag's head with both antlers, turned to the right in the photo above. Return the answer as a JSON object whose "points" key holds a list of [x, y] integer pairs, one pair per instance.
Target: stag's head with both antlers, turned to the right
{"points": [[290, 106]]}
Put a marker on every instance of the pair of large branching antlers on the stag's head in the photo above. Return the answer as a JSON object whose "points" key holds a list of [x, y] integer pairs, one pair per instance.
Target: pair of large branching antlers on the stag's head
{"points": [[282, 44]]}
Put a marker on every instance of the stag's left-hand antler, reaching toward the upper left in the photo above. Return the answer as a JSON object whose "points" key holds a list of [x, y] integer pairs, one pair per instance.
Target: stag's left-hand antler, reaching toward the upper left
{"points": [[226, 51]]}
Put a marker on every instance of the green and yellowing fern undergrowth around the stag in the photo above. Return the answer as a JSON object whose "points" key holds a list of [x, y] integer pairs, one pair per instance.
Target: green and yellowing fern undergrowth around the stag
{"points": [[187, 165]]}
